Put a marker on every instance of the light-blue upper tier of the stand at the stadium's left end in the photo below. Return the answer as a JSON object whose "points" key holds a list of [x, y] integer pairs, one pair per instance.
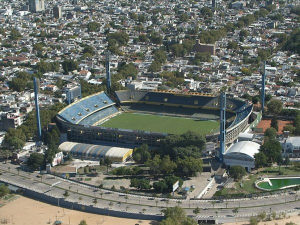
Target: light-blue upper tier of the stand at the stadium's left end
{"points": [[81, 109]]}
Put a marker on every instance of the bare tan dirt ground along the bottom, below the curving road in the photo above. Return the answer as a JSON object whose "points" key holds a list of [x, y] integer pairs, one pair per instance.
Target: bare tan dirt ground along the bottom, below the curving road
{"points": [[25, 211]]}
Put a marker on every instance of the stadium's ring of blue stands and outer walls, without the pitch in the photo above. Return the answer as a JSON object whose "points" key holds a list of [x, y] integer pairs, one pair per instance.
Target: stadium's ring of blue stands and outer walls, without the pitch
{"points": [[81, 119]]}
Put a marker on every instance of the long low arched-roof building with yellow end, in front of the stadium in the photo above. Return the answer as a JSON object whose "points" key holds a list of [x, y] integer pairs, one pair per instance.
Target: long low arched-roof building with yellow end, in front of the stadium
{"points": [[96, 152]]}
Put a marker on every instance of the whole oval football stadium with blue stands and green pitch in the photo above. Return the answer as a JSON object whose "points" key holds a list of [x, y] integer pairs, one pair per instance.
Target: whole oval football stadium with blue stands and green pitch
{"points": [[136, 117]]}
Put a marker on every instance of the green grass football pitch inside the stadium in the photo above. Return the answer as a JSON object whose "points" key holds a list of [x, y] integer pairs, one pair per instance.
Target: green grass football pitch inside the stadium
{"points": [[161, 124]]}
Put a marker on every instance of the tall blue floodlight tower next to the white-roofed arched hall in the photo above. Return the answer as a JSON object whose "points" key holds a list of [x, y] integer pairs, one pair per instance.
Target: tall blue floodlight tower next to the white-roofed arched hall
{"points": [[222, 137]]}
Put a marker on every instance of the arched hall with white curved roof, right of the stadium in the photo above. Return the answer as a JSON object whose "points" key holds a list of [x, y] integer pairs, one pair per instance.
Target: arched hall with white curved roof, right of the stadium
{"points": [[242, 153]]}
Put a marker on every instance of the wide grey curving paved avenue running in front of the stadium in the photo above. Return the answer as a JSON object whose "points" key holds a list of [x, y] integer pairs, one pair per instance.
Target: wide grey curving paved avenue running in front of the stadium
{"points": [[54, 186]]}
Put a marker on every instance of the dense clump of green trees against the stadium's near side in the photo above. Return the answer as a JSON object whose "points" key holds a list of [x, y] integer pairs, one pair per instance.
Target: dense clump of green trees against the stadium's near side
{"points": [[178, 154]]}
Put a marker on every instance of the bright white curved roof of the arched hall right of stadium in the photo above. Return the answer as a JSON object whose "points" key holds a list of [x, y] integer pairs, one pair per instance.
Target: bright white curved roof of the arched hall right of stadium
{"points": [[248, 148]]}
